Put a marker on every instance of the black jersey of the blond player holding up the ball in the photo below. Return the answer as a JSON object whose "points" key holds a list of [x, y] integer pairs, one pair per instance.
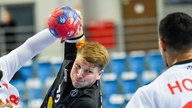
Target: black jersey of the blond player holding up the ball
{"points": [[63, 95]]}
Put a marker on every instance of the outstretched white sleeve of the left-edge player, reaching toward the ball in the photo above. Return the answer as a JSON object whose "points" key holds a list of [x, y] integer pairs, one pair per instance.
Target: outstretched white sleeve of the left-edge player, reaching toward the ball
{"points": [[13, 61]]}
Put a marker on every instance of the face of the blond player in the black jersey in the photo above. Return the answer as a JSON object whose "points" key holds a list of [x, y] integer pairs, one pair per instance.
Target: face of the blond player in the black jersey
{"points": [[82, 74]]}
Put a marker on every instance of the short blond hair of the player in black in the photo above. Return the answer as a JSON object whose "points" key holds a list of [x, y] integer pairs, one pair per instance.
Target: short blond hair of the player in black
{"points": [[95, 54]]}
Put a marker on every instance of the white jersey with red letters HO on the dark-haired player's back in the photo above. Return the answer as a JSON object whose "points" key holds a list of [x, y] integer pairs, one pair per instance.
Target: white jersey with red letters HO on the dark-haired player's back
{"points": [[172, 89]]}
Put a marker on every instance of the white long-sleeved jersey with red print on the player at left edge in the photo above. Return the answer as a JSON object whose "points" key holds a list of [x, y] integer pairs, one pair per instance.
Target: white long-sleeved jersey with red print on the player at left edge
{"points": [[13, 61]]}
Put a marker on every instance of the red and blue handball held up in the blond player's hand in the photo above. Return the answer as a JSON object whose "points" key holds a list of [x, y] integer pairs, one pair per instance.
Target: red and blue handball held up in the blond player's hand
{"points": [[63, 22]]}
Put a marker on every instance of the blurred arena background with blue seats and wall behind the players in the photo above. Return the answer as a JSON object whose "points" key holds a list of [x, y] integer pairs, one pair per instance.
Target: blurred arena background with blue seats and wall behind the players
{"points": [[128, 28]]}
